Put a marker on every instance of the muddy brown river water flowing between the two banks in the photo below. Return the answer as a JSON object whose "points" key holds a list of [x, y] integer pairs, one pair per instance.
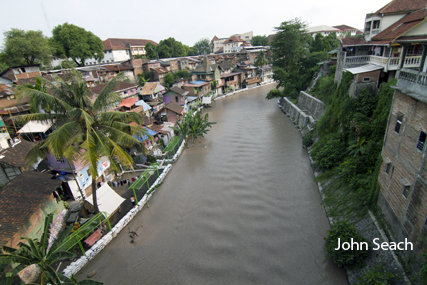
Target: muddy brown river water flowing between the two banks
{"points": [[240, 206]]}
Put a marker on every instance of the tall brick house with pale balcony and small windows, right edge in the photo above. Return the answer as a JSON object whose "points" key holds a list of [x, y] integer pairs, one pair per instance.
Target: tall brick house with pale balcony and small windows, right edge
{"points": [[403, 173]]}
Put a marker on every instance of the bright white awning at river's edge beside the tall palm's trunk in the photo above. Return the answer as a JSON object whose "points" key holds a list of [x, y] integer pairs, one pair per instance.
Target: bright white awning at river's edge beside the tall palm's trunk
{"points": [[108, 200]]}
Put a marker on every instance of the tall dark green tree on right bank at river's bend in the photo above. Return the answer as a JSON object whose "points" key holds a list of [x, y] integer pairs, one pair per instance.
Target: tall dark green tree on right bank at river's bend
{"points": [[289, 47]]}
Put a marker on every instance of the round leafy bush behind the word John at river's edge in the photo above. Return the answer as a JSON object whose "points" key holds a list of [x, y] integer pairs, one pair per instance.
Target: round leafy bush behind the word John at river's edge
{"points": [[345, 231]]}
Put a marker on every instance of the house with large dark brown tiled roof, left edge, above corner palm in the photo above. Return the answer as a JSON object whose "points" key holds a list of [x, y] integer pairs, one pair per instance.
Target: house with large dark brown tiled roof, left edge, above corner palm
{"points": [[24, 204]]}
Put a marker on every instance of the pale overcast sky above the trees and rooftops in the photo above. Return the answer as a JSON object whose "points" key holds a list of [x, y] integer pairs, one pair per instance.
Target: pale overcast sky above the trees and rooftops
{"points": [[185, 20]]}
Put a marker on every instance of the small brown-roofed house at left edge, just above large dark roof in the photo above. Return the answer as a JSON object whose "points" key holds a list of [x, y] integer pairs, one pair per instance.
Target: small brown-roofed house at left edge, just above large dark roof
{"points": [[12, 160]]}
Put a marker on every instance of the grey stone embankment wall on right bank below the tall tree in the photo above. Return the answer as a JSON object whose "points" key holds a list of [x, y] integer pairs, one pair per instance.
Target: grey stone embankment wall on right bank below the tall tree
{"points": [[306, 113]]}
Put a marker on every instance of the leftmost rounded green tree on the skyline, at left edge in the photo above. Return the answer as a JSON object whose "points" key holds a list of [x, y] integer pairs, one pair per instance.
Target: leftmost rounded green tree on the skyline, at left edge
{"points": [[25, 48]]}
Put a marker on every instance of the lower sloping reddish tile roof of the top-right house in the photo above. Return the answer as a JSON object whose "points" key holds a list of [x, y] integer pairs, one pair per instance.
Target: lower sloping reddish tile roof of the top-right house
{"points": [[402, 26]]}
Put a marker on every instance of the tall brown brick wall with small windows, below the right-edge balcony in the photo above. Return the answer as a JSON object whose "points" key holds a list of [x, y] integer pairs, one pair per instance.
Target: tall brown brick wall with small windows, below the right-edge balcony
{"points": [[408, 164]]}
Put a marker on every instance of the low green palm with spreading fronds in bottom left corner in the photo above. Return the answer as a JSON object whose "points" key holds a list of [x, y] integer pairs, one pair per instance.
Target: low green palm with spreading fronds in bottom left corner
{"points": [[40, 253]]}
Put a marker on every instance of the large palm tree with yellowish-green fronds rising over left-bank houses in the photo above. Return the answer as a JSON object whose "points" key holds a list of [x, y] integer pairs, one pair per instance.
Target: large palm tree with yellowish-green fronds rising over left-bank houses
{"points": [[84, 129]]}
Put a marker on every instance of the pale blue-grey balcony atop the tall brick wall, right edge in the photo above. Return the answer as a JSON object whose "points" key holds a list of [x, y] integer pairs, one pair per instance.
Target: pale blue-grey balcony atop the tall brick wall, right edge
{"points": [[413, 83]]}
